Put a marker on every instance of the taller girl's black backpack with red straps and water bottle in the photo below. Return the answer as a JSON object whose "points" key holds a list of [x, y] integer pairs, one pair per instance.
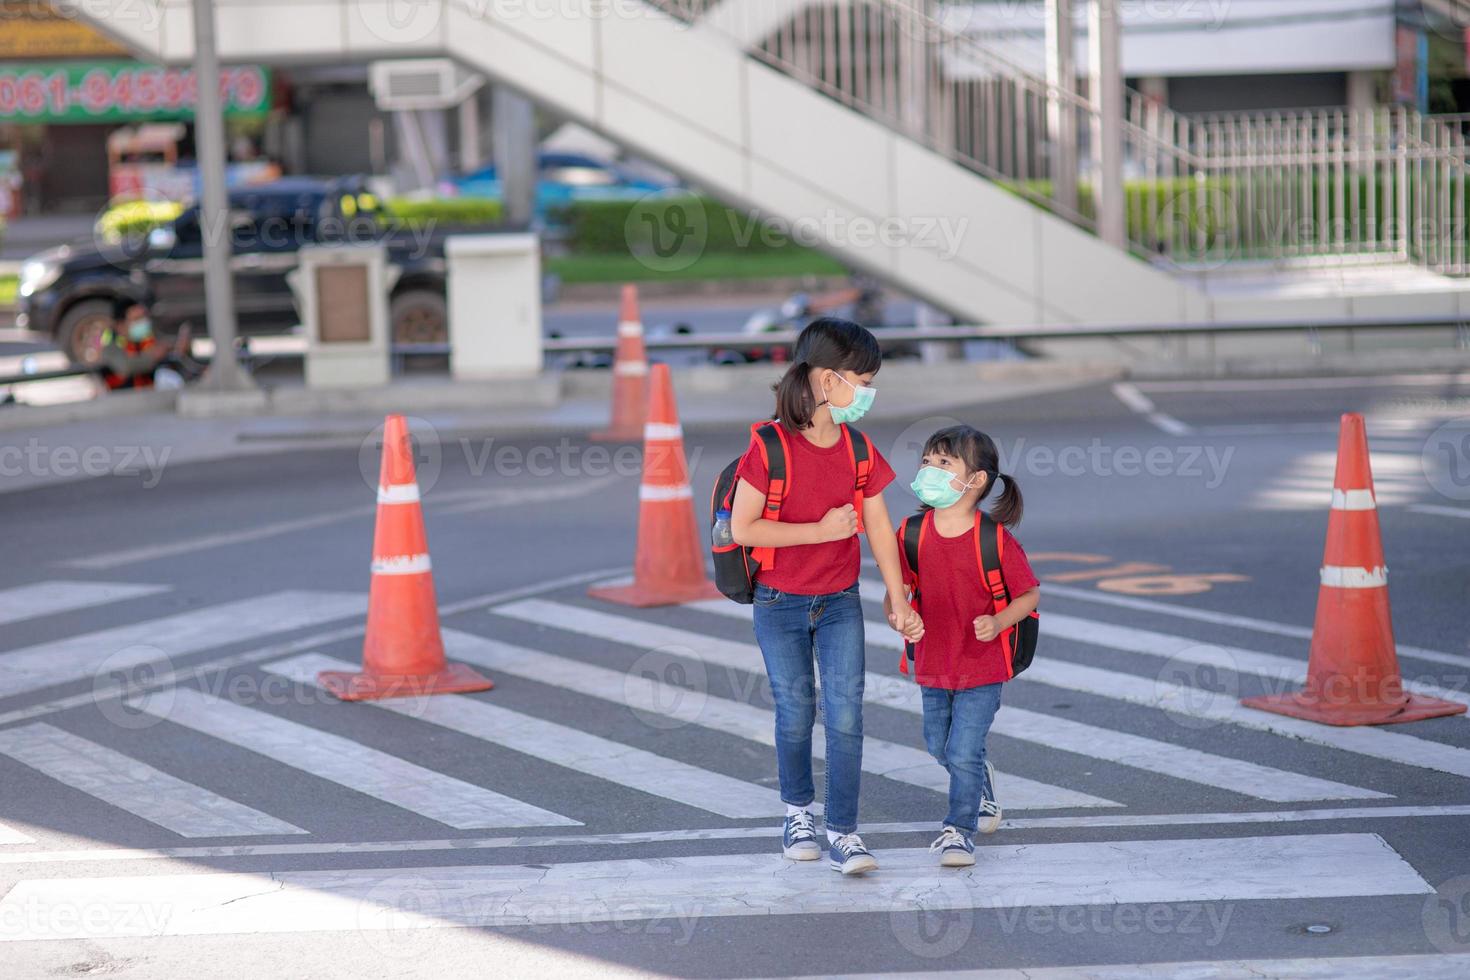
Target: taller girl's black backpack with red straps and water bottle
{"points": [[736, 566]]}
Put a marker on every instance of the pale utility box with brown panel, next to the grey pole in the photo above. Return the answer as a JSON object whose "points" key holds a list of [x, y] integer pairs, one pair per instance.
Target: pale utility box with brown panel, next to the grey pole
{"points": [[343, 296]]}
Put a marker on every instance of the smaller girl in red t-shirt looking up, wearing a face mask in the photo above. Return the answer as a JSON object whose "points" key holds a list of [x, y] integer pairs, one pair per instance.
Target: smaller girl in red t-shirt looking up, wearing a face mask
{"points": [[961, 660]]}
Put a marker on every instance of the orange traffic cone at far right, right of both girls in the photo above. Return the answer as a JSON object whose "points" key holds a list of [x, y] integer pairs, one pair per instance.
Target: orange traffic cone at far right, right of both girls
{"points": [[1353, 674]]}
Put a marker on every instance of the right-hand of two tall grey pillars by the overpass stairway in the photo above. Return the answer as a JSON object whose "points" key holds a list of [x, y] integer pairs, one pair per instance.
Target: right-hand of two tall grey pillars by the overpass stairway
{"points": [[1106, 80]]}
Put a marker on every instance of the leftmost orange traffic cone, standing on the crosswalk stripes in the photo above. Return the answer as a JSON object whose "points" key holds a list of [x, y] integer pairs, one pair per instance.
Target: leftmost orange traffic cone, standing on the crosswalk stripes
{"points": [[404, 655]]}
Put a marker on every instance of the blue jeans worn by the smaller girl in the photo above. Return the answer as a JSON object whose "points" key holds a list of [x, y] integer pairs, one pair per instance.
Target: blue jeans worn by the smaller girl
{"points": [[955, 728]]}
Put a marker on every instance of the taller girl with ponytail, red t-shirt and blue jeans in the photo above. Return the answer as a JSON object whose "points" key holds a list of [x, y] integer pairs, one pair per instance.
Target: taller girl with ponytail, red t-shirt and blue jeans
{"points": [[806, 591]]}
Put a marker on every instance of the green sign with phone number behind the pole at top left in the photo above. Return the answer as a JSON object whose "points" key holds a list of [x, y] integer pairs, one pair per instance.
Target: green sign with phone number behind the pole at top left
{"points": [[121, 92]]}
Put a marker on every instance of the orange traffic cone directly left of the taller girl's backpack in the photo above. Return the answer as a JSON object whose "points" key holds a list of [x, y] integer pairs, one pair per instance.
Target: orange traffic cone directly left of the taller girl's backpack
{"points": [[670, 568]]}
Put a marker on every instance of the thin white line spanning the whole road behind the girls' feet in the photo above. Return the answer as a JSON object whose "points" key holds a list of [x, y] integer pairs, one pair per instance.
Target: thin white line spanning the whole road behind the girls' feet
{"points": [[721, 834]]}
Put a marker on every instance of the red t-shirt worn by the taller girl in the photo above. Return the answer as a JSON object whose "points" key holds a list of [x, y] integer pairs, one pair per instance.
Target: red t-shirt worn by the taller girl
{"points": [[820, 480]]}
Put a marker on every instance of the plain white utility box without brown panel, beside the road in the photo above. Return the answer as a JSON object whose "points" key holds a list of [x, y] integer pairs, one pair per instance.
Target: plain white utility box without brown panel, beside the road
{"points": [[495, 292]]}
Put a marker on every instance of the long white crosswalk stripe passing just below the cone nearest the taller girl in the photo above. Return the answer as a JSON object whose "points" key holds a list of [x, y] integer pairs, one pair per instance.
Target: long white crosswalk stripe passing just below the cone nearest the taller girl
{"points": [[1250, 779]]}
